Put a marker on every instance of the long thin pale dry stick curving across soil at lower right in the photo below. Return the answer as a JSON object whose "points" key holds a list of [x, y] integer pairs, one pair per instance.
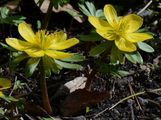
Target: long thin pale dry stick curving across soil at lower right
{"points": [[126, 98]]}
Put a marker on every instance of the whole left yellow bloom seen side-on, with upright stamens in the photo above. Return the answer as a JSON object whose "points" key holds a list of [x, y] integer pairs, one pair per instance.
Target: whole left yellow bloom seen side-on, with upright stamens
{"points": [[42, 43]]}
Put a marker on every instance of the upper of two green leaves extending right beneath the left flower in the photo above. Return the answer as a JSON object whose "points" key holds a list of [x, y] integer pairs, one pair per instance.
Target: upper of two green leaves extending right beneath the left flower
{"points": [[74, 58]]}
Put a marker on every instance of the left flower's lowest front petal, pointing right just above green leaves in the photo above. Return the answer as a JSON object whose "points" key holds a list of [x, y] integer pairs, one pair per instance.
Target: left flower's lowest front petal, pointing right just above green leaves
{"points": [[57, 54]]}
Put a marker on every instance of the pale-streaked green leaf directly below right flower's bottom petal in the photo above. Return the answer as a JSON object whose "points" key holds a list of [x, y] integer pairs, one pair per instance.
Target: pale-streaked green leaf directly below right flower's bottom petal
{"points": [[134, 57]]}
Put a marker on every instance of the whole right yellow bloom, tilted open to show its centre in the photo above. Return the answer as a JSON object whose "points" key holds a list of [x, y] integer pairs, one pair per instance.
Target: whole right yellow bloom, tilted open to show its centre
{"points": [[123, 30]]}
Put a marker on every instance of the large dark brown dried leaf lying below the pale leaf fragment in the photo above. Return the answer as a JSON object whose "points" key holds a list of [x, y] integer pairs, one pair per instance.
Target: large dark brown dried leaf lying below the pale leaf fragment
{"points": [[80, 99]]}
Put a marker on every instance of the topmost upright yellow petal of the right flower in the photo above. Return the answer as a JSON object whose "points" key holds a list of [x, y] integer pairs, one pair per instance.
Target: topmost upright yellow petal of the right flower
{"points": [[111, 15]]}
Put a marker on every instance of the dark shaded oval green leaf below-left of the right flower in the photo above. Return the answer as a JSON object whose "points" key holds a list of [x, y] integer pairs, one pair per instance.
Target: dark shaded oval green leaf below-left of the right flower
{"points": [[99, 49]]}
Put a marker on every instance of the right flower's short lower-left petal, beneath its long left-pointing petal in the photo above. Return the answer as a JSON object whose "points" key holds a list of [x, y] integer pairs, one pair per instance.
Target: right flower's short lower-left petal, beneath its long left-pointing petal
{"points": [[109, 35]]}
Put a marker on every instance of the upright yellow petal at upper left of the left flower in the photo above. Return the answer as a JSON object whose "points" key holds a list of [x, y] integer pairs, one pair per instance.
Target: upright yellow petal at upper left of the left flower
{"points": [[26, 32]]}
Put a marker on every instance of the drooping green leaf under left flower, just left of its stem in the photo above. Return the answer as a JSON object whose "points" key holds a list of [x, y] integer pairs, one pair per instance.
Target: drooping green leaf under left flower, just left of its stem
{"points": [[31, 65]]}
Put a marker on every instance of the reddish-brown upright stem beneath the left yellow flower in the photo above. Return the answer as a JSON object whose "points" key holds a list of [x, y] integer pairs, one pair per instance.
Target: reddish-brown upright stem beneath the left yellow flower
{"points": [[44, 91]]}
